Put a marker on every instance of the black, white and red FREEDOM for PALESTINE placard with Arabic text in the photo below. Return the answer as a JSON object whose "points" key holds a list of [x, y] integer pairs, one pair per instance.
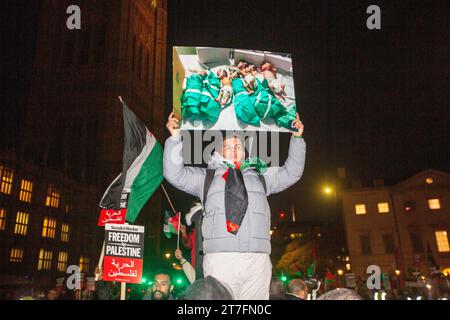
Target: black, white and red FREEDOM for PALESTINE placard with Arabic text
{"points": [[124, 252]]}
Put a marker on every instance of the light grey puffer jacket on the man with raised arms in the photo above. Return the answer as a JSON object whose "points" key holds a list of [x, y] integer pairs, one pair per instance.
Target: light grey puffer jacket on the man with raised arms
{"points": [[254, 233]]}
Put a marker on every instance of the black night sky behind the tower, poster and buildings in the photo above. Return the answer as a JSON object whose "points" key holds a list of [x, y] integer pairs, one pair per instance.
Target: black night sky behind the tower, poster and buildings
{"points": [[375, 102]]}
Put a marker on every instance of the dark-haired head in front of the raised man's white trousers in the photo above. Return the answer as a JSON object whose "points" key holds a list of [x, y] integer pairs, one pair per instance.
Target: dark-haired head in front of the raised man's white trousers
{"points": [[208, 288]]}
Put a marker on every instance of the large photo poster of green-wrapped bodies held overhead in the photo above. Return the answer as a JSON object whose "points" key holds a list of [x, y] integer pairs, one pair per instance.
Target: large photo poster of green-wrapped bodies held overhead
{"points": [[231, 89]]}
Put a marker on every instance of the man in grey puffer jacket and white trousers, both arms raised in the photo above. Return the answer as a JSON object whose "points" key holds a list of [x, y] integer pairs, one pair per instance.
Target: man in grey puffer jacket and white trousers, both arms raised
{"points": [[236, 222]]}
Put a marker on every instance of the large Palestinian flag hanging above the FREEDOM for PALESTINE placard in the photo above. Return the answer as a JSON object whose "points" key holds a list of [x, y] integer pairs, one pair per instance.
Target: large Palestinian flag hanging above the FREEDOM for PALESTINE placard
{"points": [[141, 168]]}
